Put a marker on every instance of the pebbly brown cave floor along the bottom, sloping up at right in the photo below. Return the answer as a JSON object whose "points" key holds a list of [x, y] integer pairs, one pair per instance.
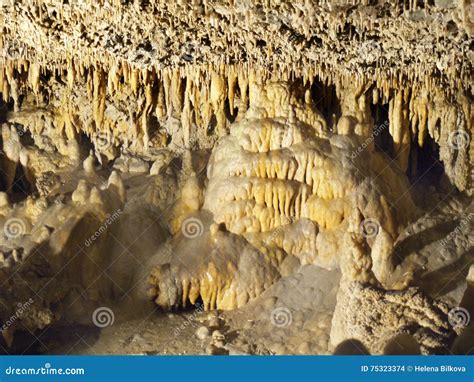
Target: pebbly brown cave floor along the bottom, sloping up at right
{"points": [[292, 317]]}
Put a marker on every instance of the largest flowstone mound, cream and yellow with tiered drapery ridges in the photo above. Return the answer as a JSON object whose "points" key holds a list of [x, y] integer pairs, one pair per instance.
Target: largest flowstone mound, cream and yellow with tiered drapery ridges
{"points": [[285, 186]]}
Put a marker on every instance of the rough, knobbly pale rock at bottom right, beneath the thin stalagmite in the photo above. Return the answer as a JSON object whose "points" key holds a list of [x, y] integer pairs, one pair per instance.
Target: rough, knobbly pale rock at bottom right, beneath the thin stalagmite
{"points": [[373, 316]]}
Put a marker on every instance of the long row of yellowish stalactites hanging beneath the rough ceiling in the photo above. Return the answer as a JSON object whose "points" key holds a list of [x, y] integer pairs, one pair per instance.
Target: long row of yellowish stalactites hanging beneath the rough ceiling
{"points": [[132, 107]]}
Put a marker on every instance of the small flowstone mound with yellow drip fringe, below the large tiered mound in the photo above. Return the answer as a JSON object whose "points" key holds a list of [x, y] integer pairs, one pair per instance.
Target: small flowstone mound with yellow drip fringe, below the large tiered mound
{"points": [[219, 267]]}
